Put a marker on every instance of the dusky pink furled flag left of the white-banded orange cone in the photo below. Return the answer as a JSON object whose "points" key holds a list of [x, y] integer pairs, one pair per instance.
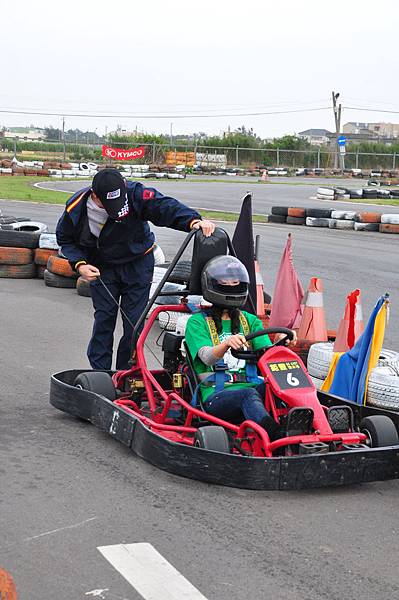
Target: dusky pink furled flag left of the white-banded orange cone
{"points": [[288, 293]]}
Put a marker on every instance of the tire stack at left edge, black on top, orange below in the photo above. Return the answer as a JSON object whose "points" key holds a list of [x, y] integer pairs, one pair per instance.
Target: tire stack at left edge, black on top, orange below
{"points": [[17, 254]]}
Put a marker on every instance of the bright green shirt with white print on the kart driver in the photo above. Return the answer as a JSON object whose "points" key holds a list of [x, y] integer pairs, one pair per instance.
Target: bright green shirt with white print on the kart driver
{"points": [[197, 335]]}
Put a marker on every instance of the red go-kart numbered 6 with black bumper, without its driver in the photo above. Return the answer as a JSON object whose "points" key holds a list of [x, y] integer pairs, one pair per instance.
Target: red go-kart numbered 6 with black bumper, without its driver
{"points": [[325, 439]]}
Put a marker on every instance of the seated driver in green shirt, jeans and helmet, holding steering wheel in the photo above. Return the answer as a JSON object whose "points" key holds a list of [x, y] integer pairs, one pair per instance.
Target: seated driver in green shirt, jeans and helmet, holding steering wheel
{"points": [[210, 335]]}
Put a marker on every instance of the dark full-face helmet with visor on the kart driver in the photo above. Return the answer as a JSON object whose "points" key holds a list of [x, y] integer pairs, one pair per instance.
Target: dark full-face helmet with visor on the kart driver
{"points": [[225, 282]]}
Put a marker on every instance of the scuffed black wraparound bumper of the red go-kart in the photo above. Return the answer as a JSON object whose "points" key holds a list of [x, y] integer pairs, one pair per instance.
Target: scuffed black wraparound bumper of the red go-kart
{"points": [[277, 473]]}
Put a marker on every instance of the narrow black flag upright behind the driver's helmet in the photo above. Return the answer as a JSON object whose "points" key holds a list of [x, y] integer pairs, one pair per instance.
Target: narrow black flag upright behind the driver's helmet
{"points": [[243, 244]]}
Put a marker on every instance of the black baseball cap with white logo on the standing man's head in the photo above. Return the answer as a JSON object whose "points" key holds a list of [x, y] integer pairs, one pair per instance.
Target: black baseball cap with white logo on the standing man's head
{"points": [[110, 187]]}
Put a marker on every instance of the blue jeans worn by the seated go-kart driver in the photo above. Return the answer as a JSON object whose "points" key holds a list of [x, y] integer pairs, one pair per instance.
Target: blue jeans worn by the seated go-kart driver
{"points": [[230, 403]]}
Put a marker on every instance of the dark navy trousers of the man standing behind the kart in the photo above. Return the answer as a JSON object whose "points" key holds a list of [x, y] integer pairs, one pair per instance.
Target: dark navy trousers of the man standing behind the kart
{"points": [[130, 285]]}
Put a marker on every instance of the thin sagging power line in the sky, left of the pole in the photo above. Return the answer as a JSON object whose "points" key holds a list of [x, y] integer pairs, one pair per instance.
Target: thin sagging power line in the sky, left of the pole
{"points": [[158, 116]]}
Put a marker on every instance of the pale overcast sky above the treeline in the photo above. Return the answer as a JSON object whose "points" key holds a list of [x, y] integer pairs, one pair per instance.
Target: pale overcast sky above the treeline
{"points": [[198, 58]]}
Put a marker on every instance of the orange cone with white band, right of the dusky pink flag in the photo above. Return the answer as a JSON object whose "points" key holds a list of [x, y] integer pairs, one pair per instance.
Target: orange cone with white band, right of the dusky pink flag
{"points": [[313, 323]]}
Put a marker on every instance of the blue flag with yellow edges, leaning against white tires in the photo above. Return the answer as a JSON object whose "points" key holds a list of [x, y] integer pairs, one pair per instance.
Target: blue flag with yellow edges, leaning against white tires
{"points": [[349, 372]]}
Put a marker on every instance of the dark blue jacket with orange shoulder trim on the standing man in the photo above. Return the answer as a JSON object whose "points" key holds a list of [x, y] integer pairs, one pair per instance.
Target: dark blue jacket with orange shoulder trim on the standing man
{"points": [[123, 240]]}
